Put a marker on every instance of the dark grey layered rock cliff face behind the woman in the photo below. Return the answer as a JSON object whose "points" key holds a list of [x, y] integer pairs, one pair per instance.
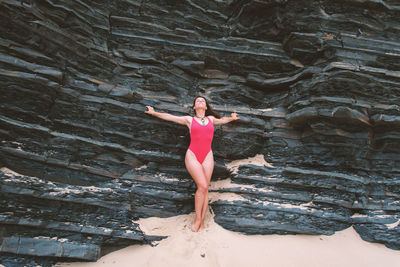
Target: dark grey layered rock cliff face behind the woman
{"points": [[316, 84]]}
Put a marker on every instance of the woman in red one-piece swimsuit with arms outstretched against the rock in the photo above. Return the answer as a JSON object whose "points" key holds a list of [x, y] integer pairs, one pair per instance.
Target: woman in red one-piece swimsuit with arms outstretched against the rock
{"points": [[199, 158]]}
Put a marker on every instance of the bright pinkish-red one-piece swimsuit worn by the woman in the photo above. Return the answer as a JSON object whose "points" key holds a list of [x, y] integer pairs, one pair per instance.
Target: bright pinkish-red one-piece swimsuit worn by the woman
{"points": [[200, 139]]}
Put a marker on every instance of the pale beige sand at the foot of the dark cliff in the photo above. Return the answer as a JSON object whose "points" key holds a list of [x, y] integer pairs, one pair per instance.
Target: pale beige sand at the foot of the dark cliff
{"points": [[216, 246]]}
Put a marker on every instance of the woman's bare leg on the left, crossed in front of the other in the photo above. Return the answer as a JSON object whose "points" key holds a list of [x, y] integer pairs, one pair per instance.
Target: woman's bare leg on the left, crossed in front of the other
{"points": [[195, 169]]}
